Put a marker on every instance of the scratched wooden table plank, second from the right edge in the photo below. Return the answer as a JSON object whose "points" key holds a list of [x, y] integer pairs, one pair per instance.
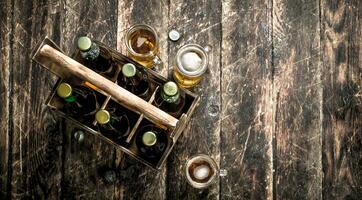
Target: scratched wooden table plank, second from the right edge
{"points": [[297, 87]]}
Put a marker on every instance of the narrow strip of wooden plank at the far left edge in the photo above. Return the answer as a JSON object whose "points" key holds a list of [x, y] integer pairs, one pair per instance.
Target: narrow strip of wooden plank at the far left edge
{"points": [[5, 51]]}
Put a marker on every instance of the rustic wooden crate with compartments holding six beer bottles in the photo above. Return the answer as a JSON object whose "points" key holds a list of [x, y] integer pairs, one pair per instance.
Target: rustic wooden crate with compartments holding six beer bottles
{"points": [[139, 118]]}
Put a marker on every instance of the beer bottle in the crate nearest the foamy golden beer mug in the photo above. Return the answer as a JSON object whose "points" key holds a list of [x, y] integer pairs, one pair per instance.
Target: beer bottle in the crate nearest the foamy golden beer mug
{"points": [[170, 99]]}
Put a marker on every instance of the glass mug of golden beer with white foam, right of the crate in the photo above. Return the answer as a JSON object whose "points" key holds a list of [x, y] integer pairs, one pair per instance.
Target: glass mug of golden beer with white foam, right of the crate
{"points": [[191, 64]]}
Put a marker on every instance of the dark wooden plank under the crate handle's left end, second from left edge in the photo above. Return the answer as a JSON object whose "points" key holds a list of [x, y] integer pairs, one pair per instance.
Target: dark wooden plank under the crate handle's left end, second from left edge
{"points": [[35, 132]]}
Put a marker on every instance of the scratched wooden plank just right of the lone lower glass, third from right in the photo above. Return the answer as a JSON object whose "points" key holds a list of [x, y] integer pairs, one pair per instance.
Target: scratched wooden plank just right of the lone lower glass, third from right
{"points": [[247, 101]]}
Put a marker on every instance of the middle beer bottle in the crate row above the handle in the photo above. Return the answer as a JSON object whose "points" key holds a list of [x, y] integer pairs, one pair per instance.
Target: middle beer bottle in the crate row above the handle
{"points": [[131, 79]]}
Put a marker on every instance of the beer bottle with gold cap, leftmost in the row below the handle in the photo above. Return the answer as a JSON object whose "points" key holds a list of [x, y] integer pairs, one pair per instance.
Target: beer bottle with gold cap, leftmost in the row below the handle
{"points": [[79, 100]]}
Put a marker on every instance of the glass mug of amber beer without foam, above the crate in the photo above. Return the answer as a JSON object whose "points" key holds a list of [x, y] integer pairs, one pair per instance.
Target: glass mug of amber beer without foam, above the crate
{"points": [[142, 45]]}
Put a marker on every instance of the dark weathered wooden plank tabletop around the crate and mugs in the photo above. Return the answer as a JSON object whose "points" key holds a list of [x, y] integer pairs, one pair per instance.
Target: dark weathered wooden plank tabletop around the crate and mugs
{"points": [[281, 103]]}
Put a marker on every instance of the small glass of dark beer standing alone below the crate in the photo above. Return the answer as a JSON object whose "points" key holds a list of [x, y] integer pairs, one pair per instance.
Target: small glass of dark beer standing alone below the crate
{"points": [[201, 171]]}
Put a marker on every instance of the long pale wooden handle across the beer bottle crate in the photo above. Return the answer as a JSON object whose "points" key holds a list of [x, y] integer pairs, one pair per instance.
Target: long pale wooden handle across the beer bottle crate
{"points": [[121, 95]]}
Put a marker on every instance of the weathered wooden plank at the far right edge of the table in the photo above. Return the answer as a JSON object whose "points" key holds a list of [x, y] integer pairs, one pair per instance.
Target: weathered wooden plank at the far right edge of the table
{"points": [[342, 82]]}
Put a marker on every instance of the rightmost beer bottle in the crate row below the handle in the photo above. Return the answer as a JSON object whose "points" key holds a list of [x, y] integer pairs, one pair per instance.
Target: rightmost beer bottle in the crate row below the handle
{"points": [[151, 142]]}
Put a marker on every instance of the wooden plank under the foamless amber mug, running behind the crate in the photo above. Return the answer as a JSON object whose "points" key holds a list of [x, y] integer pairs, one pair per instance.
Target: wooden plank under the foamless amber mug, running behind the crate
{"points": [[140, 182]]}
